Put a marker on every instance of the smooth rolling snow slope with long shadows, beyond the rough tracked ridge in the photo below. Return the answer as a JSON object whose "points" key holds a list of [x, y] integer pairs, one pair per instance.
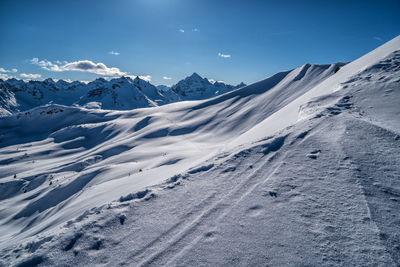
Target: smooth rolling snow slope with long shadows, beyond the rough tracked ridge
{"points": [[69, 159]]}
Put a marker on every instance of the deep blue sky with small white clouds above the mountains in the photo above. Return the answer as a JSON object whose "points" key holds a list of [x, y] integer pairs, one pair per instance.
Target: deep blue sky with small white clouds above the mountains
{"points": [[166, 40]]}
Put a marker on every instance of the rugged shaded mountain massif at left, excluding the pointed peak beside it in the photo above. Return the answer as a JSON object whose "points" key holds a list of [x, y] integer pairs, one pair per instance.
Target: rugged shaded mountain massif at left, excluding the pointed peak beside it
{"points": [[121, 93]]}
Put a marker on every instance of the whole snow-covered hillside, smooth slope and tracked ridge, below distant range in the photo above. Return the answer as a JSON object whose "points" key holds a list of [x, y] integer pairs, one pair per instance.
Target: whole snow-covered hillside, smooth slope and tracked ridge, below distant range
{"points": [[301, 168]]}
